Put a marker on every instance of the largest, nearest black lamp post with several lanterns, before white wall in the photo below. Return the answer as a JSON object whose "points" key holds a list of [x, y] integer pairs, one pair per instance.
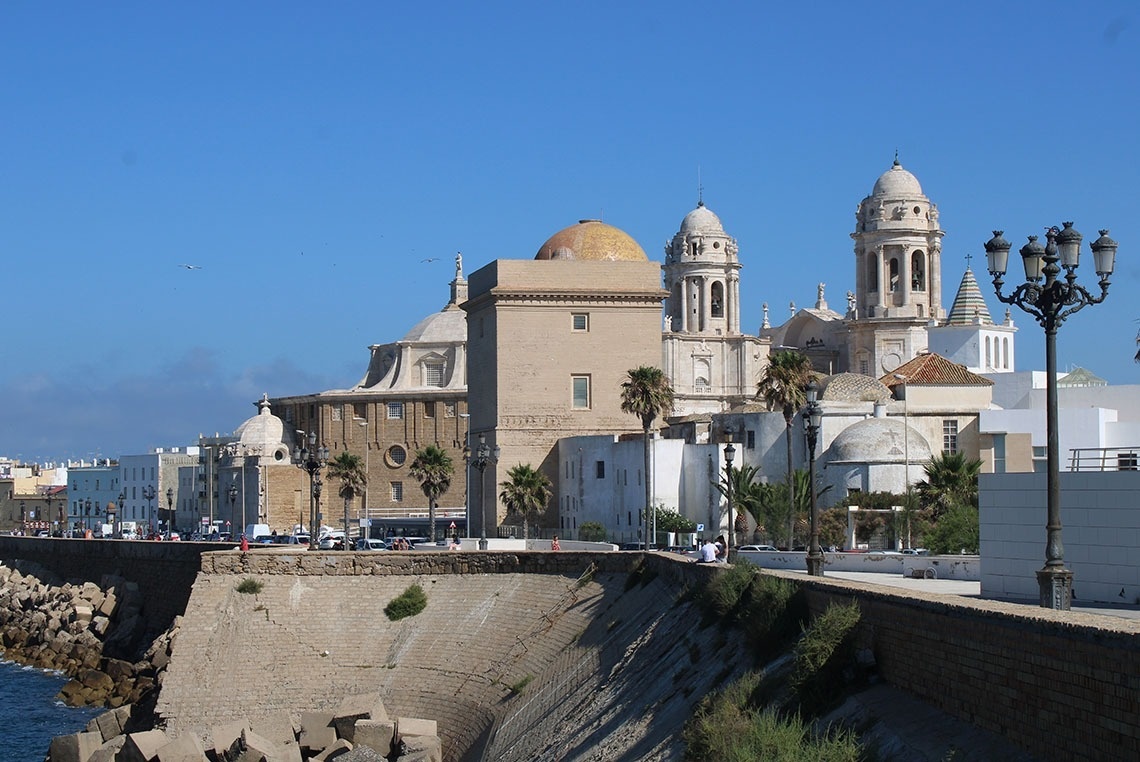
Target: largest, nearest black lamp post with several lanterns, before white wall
{"points": [[1051, 303]]}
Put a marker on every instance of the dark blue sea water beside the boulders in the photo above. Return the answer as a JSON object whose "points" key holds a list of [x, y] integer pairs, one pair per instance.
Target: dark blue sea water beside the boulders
{"points": [[31, 717]]}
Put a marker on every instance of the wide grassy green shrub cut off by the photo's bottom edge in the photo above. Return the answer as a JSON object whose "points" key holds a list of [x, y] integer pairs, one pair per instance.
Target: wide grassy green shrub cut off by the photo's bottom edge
{"points": [[729, 727]]}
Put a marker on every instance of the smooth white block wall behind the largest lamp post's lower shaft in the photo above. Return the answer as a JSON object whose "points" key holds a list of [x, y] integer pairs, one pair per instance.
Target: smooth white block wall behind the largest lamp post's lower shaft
{"points": [[1101, 521]]}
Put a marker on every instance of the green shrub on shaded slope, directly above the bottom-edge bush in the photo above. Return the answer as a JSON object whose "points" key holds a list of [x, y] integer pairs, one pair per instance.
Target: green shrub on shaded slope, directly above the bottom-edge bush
{"points": [[821, 656]]}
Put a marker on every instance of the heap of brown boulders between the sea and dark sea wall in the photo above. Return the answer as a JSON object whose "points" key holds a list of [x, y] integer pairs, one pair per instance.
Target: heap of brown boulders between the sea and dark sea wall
{"points": [[94, 634]]}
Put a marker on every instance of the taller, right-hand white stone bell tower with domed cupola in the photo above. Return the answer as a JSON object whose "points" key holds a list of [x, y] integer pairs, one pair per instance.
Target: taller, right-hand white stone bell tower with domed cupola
{"points": [[898, 274]]}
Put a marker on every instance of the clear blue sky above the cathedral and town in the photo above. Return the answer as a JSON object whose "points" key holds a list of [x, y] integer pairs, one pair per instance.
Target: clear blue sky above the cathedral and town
{"points": [[308, 158]]}
